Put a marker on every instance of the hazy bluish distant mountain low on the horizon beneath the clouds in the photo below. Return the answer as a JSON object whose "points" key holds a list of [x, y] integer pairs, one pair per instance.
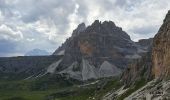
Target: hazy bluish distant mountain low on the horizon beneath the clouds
{"points": [[37, 52]]}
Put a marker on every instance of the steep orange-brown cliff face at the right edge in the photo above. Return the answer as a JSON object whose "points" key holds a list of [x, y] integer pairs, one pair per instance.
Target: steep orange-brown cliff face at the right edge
{"points": [[161, 51]]}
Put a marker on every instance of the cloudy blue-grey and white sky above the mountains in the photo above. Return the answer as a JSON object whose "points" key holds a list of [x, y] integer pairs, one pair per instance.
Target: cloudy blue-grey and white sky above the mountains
{"points": [[45, 24]]}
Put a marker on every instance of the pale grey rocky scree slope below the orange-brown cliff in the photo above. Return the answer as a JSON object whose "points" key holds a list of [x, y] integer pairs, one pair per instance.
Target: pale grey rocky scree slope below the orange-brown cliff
{"points": [[152, 91]]}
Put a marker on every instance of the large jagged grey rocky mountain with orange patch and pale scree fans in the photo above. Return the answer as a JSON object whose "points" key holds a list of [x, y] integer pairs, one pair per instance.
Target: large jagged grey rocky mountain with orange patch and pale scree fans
{"points": [[99, 50]]}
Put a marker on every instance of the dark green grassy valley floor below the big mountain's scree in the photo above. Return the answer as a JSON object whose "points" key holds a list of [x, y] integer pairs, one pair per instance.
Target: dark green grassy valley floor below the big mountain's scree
{"points": [[54, 88]]}
